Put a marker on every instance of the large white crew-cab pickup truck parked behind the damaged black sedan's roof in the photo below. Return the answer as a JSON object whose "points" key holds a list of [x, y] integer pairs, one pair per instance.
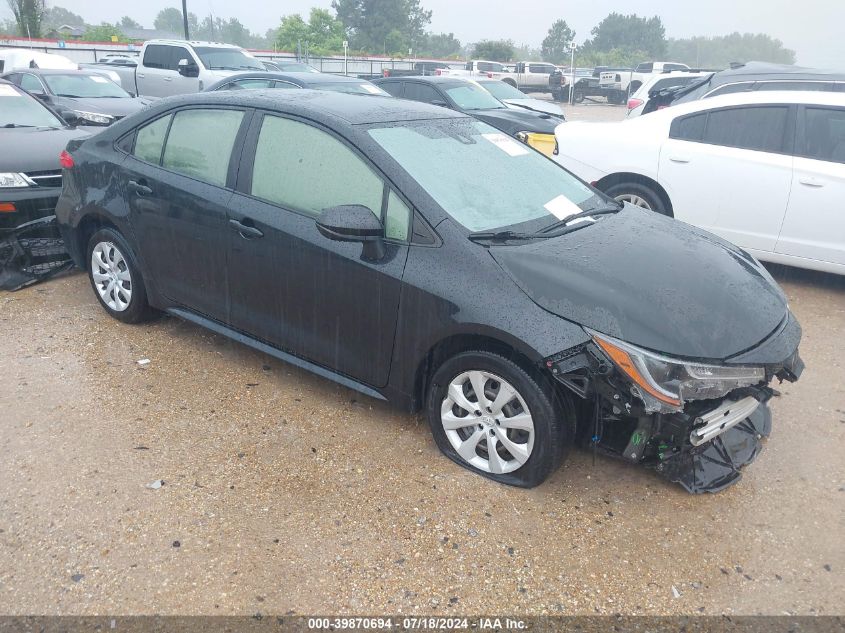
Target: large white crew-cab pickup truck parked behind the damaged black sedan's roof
{"points": [[172, 67]]}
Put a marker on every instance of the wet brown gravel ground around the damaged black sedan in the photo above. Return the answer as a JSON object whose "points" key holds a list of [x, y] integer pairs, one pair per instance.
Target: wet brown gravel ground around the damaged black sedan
{"points": [[283, 492]]}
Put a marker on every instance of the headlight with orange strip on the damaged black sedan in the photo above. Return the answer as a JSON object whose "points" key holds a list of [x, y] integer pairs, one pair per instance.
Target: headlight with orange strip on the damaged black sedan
{"points": [[673, 381]]}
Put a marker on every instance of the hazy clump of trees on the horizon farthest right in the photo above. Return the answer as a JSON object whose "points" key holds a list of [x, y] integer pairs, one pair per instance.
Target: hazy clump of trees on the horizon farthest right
{"points": [[720, 51]]}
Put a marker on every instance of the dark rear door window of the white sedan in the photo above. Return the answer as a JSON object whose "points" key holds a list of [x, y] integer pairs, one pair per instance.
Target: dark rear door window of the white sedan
{"points": [[761, 128]]}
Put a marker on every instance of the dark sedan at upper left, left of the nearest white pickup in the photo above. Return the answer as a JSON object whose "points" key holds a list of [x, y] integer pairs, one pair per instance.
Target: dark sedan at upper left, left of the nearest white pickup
{"points": [[92, 98]]}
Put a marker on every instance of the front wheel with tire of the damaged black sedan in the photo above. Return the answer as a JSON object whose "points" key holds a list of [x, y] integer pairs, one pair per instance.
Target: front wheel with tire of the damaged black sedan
{"points": [[490, 416]]}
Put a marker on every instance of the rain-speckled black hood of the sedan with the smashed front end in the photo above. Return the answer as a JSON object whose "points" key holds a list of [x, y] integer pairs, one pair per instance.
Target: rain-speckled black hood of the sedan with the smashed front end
{"points": [[652, 281]]}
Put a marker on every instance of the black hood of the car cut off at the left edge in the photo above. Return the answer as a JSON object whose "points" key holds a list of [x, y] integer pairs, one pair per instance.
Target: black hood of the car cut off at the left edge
{"points": [[36, 149]]}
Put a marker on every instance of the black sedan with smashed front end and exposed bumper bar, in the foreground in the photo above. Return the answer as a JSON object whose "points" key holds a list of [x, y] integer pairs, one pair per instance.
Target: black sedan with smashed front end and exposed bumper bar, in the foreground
{"points": [[524, 312]]}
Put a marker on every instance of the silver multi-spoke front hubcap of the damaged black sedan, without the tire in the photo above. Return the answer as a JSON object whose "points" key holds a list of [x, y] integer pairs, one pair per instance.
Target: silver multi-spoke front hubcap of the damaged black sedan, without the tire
{"points": [[487, 422]]}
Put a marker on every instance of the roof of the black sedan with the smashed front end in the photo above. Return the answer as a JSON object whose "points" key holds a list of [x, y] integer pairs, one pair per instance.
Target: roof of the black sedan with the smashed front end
{"points": [[320, 105]]}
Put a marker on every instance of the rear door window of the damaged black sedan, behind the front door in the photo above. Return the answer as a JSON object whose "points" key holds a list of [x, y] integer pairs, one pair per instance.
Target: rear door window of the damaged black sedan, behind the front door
{"points": [[200, 143]]}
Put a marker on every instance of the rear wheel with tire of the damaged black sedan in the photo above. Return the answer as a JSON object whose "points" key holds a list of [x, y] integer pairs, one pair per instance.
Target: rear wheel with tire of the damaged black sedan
{"points": [[116, 278]]}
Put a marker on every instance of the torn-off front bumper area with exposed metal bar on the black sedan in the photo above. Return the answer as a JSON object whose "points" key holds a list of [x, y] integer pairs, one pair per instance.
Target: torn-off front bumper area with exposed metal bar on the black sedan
{"points": [[700, 444]]}
